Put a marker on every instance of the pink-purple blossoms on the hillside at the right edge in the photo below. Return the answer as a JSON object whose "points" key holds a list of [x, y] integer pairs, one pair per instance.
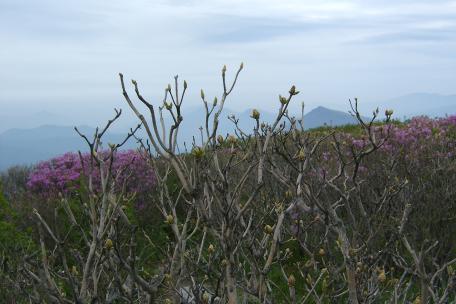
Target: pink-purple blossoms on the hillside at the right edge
{"points": [[416, 141]]}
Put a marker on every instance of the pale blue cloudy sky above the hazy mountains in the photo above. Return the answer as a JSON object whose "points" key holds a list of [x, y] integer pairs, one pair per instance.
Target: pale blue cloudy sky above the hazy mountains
{"points": [[62, 58]]}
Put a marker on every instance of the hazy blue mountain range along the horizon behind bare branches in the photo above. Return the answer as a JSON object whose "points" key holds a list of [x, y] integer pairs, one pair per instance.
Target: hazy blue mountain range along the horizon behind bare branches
{"points": [[37, 140]]}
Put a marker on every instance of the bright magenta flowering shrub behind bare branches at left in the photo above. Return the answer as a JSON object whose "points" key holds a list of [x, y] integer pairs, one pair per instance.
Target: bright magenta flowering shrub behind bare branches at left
{"points": [[61, 174]]}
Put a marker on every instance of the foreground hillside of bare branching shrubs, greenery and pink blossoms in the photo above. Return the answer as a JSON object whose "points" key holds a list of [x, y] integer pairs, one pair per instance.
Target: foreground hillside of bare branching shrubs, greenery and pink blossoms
{"points": [[278, 214]]}
